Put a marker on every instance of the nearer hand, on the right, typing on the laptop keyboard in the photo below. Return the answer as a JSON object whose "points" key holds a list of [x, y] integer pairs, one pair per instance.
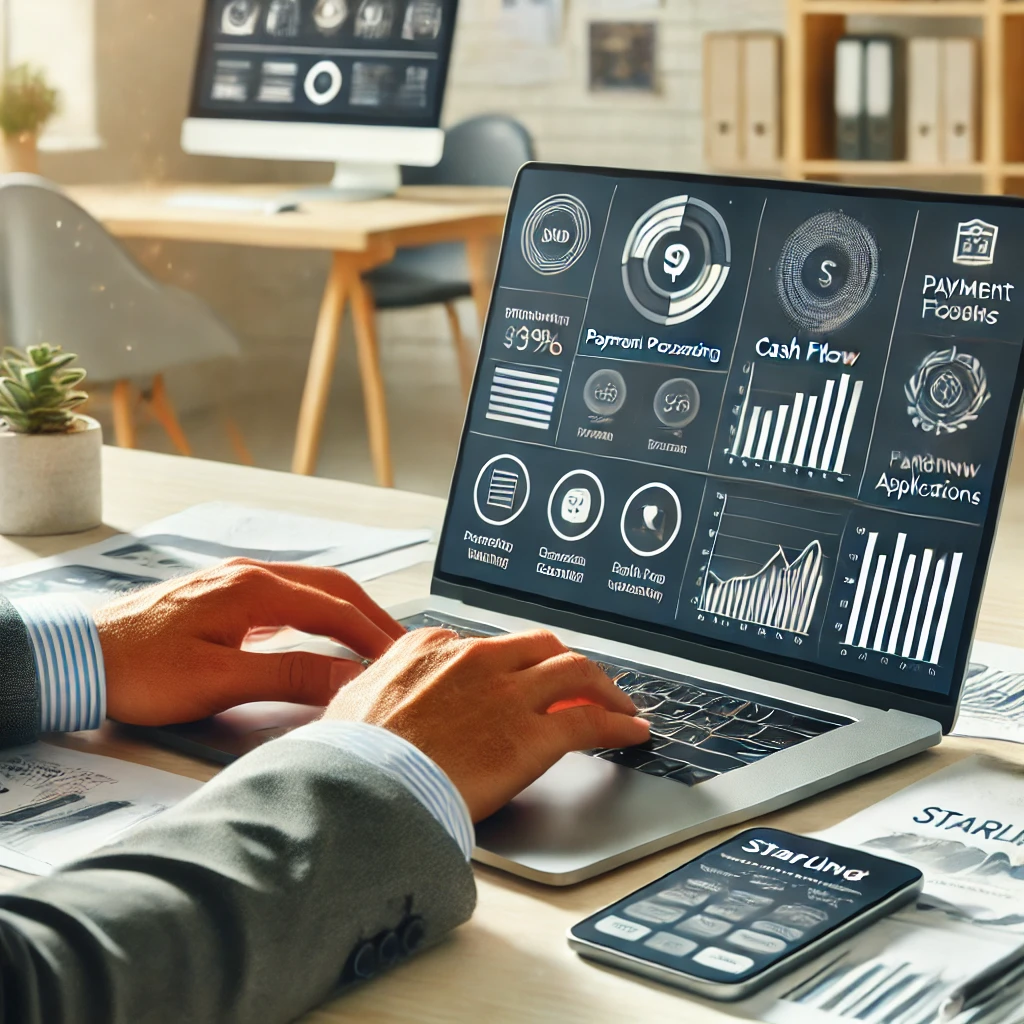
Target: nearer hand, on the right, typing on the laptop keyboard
{"points": [[494, 714]]}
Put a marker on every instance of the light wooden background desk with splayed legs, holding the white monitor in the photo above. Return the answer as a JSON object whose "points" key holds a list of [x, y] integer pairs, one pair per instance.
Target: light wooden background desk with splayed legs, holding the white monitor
{"points": [[362, 236]]}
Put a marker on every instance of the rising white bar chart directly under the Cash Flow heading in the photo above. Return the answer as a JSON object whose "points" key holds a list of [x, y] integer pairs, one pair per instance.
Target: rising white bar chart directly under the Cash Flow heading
{"points": [[809, 430]]}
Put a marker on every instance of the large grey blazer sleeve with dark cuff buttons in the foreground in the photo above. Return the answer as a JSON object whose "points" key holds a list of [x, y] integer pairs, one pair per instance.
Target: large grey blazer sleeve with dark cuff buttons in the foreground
{"points": [[298, 871]]}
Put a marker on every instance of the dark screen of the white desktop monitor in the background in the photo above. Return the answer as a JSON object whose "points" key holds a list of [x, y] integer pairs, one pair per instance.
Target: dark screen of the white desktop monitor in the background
{"points": [[330, 62]]}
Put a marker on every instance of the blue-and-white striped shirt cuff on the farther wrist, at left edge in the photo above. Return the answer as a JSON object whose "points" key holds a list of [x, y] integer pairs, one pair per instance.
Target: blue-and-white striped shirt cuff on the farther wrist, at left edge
{"points": [[69, 664]]}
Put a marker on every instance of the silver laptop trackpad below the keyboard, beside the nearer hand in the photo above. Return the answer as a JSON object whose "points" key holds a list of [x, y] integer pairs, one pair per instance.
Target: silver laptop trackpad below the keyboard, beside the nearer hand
{"points": [[585, 809]]}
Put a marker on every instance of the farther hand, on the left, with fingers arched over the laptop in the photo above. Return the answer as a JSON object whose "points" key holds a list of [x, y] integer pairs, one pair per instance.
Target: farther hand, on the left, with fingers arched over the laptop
{"points": [[172, 652]]}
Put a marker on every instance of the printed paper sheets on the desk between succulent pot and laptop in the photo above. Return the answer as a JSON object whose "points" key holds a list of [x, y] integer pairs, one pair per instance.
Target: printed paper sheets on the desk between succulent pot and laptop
{"points": [[205, 535]]}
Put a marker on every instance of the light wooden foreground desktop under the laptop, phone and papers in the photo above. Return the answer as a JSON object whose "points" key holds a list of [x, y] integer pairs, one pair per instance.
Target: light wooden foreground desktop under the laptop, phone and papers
{"points": [[510, 964]]}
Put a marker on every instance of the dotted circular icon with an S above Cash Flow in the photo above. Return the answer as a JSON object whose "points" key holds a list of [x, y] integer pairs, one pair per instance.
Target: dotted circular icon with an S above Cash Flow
{"points": [[827, 272]]}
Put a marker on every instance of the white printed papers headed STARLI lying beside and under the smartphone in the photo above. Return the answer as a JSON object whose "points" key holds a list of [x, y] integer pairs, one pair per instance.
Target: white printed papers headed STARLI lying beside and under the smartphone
{"points": [[964, 828]]}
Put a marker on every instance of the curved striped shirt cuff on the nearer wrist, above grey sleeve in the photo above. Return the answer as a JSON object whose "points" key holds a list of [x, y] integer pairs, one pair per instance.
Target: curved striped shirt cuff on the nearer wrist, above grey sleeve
{"points": [[404, 762]]}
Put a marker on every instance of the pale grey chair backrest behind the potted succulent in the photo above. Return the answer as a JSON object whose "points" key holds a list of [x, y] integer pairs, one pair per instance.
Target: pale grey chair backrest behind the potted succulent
{"points": [[64, 280]]}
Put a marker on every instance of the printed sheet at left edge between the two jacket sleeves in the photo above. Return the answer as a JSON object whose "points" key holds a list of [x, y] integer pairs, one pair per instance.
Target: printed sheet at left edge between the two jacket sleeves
{"points": [[58, 805]]}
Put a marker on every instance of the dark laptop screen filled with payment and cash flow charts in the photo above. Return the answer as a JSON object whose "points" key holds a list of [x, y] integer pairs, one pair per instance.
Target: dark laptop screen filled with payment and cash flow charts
{"points": [[770, 419]]}
